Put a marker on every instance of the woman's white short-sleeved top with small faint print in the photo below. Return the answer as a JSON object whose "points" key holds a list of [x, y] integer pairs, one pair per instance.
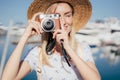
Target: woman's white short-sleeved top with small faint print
{"points": [[61, 70]]}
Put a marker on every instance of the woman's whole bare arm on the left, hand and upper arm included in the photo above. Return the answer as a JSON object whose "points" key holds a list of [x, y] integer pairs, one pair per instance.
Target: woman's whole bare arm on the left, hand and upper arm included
{"points": [[13, 69]]}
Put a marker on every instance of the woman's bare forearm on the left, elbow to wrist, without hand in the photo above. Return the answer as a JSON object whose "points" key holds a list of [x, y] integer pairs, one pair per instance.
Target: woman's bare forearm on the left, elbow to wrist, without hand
{"points": [[12, 66]]}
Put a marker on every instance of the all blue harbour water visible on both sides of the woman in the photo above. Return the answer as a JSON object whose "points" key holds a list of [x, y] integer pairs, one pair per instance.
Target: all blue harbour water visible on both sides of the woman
{"points": [[108, 63]]}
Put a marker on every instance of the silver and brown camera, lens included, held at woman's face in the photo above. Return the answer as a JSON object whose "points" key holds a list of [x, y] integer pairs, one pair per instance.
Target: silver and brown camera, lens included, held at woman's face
{"points": [[49, 22]]}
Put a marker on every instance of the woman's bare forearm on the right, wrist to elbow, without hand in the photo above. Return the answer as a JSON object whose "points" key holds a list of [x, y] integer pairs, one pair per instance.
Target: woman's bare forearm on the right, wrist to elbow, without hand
{"points": [[87, 70]]}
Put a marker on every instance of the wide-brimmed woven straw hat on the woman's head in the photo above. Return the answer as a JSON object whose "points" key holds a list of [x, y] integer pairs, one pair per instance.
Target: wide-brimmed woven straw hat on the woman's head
{"points": [[82, 9]]}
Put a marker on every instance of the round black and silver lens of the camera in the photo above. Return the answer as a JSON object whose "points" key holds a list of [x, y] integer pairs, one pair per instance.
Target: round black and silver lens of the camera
{"points": [[48, 24]]}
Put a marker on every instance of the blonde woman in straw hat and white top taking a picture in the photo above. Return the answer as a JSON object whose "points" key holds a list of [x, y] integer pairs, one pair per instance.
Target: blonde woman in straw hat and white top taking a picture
{"points": [[51, 64]]}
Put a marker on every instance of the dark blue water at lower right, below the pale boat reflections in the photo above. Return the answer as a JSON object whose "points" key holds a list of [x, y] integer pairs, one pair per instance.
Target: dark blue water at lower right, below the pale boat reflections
{"points": [[109, 69]]}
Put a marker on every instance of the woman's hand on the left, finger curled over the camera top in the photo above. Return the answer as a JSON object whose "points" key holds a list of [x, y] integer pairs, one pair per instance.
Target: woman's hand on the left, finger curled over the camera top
{"points": [[33, 27]]}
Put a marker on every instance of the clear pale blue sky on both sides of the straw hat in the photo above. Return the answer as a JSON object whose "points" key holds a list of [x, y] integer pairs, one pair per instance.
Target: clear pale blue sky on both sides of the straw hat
{"points": [[16, 10]]}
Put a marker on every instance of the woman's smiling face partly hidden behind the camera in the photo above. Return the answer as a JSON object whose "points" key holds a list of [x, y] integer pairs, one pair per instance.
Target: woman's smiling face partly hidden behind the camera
{"points": [[66, 19]]}
